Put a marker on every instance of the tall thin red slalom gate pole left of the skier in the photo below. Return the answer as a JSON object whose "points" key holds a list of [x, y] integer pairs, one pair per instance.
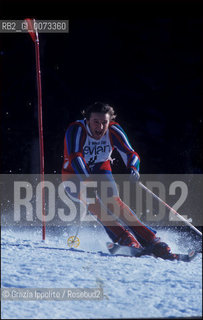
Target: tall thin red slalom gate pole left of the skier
{"points": [[34, 35]]}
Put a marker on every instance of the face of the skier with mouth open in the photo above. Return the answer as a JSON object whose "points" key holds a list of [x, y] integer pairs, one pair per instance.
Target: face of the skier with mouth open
{"points": [[98, 124]]}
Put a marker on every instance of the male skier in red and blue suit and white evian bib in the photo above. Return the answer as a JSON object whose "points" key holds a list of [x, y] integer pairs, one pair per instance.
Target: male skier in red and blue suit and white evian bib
{"points": [[88, 145]]}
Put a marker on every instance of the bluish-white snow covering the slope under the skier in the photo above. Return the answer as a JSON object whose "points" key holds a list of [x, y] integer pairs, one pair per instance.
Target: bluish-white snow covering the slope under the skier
{"points": [[133, 287]]}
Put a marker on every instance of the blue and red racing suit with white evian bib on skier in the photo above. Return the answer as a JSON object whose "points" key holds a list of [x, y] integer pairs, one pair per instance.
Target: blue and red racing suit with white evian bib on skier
{"points": [[86, 156]]}
